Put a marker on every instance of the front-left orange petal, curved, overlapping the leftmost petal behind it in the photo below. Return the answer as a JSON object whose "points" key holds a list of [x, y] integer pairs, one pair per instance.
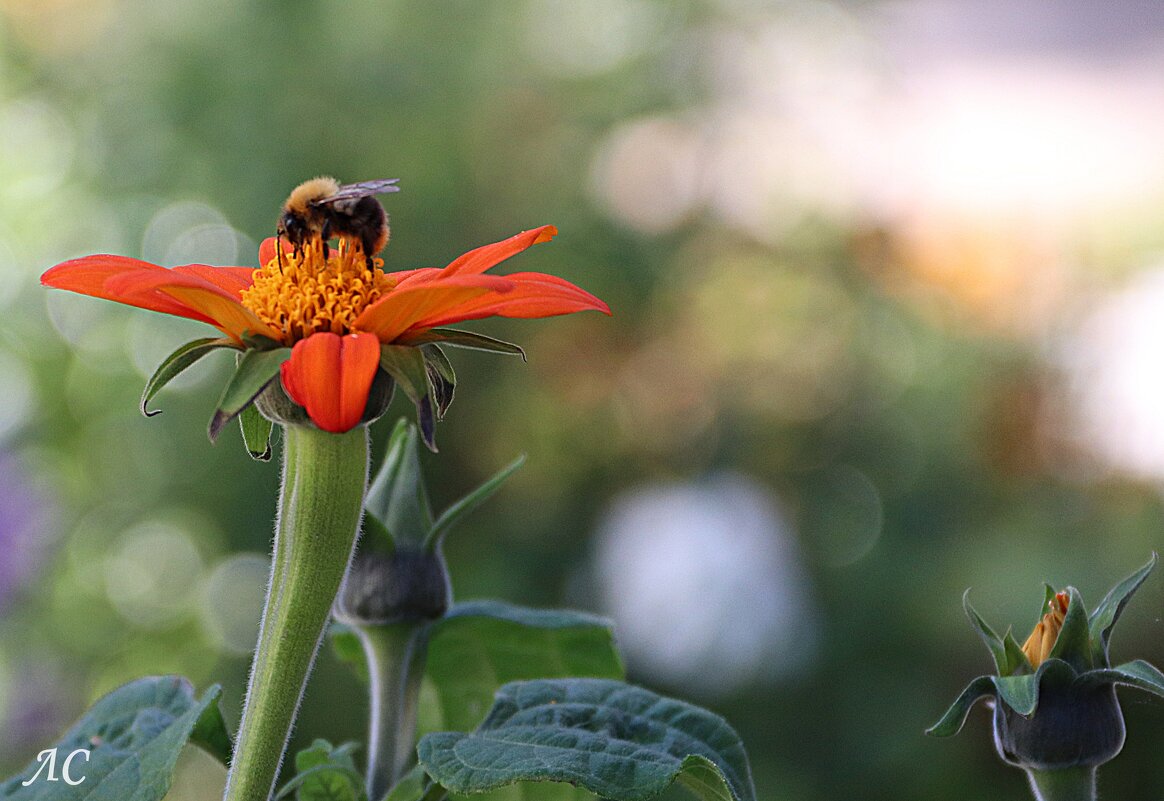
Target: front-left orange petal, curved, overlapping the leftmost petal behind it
{"points": [[219, 306]]}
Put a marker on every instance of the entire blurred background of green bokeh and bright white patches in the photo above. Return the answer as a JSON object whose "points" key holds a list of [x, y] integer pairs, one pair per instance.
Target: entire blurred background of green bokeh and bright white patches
{"points": [[886, 282]]}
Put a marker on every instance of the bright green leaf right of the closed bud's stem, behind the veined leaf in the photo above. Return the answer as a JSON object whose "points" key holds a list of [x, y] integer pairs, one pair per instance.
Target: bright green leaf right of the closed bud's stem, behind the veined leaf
{"points": [[481, 646]]}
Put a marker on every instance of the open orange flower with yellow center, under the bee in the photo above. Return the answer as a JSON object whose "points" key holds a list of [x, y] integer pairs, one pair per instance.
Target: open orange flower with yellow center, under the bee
{"points": [[337, 315]]}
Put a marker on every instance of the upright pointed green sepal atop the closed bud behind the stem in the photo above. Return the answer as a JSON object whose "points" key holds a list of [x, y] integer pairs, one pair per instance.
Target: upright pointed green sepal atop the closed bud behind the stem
{"points": [[398, 499]]}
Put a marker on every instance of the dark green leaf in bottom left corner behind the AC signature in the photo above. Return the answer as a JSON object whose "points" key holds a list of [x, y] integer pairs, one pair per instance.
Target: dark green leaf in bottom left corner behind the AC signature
{"points": [[134, 736]]}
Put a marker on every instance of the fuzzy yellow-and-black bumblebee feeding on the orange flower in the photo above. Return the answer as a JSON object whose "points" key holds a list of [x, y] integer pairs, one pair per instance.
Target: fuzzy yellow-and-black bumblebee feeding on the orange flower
{"points": [[323, 208]]}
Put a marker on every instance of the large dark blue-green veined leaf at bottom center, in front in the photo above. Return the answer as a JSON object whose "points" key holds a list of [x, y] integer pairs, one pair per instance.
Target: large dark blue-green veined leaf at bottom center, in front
{"points": [[616, 741]]}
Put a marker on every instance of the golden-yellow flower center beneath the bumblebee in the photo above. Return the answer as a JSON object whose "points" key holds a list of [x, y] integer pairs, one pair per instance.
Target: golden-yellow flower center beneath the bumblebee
{"points": [[302, 294]]}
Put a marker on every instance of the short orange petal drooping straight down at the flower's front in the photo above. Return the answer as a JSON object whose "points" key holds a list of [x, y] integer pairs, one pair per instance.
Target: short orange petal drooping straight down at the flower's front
{"points": [[330, 377]]}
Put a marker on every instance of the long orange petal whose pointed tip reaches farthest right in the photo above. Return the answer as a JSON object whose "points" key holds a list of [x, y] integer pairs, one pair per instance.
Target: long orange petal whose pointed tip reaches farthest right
{"points": [[535, 295]]}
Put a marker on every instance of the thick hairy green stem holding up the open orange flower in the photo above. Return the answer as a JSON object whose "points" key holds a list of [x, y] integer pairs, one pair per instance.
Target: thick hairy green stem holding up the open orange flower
{"points": [[321, 504]]}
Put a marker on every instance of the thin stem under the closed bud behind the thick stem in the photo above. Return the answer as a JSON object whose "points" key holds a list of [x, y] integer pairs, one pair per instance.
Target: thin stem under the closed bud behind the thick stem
{"points": [[396, 665]]}
